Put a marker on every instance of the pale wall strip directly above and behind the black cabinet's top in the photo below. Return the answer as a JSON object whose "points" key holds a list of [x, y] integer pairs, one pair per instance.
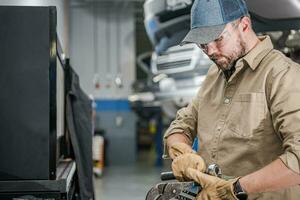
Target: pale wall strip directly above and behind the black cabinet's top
{"points": [[62, 7]]}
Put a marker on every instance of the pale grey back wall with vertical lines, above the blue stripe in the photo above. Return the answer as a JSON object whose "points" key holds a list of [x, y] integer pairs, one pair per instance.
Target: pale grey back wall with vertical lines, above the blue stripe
{"points": [[102, 43]]}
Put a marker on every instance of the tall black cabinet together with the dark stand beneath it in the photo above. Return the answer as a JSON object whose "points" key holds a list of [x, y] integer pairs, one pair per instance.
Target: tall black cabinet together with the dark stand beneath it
{"points": [[34, 141]]}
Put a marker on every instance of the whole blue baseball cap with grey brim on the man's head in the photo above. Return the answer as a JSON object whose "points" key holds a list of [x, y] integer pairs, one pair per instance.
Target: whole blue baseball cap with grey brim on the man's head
{"points": [[209, 18]]}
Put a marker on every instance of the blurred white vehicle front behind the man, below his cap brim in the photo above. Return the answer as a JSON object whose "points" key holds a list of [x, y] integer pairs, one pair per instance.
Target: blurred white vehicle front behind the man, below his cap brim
{"points": [[179, 71]]}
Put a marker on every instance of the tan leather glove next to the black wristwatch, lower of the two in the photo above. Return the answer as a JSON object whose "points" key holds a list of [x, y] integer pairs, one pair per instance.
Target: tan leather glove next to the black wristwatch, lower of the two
{"points": [[212, 187]]}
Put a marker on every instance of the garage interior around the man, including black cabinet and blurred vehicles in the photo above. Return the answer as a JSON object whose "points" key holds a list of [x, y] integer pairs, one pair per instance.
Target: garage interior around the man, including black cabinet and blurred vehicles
{"points": [[90, 86]]}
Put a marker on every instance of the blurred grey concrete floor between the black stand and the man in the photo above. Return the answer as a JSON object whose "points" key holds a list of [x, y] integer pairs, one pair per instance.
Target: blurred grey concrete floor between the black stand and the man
{"points": [[130, 182]]}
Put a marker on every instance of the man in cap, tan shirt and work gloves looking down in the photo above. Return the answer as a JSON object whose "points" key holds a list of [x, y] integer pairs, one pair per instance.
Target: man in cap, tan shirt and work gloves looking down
{"points": [[246, 114]]}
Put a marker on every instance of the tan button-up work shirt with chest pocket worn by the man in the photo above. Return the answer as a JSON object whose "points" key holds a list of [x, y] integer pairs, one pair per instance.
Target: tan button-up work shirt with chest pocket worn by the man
{"points": [[252, 119]]}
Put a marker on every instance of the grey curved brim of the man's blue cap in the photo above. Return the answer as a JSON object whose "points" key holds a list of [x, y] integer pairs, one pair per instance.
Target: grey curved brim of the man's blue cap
{"points": [[203, 35]]}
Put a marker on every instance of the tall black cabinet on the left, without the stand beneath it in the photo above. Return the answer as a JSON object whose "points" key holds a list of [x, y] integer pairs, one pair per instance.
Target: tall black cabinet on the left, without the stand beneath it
{"points": [[32, 94]]}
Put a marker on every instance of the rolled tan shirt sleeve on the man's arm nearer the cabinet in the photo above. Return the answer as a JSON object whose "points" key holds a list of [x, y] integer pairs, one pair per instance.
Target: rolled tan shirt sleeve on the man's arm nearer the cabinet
{"points": [[184, 123]]}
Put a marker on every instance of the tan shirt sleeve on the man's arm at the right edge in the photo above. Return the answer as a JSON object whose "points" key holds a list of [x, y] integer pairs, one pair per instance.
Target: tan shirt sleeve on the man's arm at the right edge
{"points": [[285, 111]]}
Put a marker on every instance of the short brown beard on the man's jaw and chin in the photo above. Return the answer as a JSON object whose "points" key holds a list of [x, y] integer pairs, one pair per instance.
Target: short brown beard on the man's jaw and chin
{"points": [[226, 62]]}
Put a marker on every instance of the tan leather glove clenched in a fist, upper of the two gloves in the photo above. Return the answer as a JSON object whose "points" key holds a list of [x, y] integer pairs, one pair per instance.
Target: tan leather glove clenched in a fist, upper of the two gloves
{"points": [[187, 160]]}
